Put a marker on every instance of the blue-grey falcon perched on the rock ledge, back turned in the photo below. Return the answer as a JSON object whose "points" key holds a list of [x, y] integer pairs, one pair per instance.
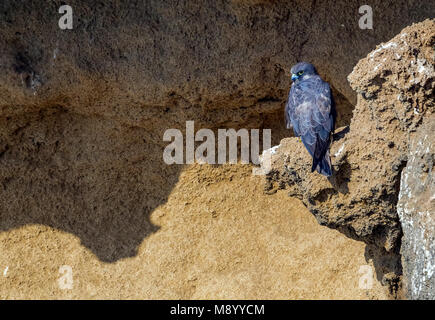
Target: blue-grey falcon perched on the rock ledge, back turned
{"points": [[310, 111]]}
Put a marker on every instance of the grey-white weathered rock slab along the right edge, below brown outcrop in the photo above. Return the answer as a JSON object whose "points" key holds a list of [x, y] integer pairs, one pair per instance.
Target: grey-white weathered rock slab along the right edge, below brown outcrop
{"points": [[416, 208]]}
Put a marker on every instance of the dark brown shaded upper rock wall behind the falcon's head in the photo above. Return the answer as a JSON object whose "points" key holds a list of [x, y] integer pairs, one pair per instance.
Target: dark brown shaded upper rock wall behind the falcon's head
{"points": [[219, 62]]}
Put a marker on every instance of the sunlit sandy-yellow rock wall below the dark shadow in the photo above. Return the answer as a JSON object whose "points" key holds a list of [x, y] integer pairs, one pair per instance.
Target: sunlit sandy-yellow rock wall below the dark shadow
{"points": [[217, 237]]}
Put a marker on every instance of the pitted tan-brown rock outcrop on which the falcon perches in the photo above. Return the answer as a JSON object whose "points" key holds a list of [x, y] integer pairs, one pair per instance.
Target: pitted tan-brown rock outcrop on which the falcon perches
{"points": [[395, 86]]}
